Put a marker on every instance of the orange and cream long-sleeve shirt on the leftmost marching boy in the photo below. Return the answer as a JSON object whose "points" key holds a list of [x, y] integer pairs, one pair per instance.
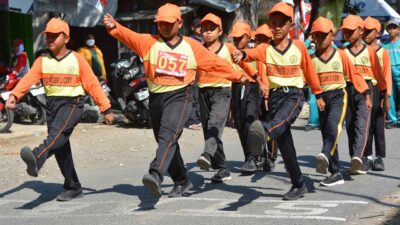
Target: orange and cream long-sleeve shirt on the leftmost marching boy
{"points": [[70, 76]]}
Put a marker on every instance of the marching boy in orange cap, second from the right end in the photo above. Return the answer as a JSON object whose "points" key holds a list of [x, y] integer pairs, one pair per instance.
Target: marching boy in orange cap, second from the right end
{"points": [[358, 115]]}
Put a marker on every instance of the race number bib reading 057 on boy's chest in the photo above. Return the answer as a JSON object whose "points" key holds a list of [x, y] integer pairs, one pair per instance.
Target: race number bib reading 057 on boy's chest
{"points": [[170, 63]]}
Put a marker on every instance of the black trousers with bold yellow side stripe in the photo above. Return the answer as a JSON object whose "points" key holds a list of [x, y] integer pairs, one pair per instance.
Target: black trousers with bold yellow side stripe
{"points": [[331, 122]]}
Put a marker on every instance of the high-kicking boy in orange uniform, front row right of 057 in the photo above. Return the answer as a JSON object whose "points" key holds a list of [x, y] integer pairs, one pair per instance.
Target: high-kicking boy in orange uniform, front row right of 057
{"points": [[287, 62]]}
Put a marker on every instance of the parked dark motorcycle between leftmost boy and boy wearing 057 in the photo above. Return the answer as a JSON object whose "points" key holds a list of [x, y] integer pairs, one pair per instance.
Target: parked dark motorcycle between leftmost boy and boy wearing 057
{"points": [[130, 88]]}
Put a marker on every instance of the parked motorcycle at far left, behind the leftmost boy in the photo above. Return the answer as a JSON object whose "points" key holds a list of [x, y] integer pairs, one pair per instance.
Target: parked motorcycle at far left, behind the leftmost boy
{"points": [[32, 106]]}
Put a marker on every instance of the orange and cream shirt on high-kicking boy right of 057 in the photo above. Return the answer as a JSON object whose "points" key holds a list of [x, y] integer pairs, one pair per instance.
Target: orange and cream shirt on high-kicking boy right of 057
{"points": [[286, 68]]}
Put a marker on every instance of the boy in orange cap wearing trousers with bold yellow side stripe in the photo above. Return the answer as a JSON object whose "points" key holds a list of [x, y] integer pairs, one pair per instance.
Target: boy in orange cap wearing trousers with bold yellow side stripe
{"points": [[333, 68]]}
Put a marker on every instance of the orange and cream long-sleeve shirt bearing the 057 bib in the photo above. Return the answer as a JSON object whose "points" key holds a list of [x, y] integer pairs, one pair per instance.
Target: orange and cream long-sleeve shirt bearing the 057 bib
{"points": [[171, 67]]}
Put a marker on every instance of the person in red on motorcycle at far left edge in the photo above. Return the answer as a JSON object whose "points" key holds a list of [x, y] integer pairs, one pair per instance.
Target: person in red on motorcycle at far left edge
{"points": [[20, 63]]}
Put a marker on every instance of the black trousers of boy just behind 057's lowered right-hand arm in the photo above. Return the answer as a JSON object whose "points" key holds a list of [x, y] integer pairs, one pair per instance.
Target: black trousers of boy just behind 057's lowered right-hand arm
{"points": [[214, 108]]}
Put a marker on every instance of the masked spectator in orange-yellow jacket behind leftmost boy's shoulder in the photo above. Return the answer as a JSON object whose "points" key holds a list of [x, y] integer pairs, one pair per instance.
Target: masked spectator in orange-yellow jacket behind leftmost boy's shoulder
{"points": [[94, 56]]}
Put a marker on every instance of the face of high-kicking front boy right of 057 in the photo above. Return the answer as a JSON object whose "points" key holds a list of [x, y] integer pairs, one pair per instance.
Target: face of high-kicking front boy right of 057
{"points": [[280, 25]]}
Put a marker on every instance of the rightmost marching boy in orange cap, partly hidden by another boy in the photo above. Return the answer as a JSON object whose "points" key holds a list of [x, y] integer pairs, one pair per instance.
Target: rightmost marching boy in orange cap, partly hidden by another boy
{"points": [[372, 30]]}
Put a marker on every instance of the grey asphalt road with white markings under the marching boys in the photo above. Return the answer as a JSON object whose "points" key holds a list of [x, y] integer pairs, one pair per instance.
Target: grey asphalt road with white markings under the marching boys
{"points": [[114, 193]]}
